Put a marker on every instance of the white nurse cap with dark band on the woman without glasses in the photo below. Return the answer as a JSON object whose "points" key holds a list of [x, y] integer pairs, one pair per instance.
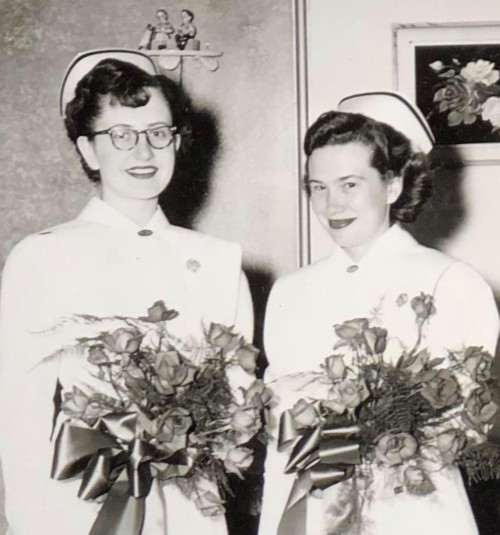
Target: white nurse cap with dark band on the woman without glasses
{"points": [[395, 110]]}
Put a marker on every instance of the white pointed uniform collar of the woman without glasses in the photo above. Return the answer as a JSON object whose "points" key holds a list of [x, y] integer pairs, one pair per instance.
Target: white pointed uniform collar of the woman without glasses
{"points": [[393, 240]]}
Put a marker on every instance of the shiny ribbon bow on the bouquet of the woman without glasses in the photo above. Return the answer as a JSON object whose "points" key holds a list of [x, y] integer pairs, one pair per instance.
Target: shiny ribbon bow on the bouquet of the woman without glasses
{"points": [[321, 457]]}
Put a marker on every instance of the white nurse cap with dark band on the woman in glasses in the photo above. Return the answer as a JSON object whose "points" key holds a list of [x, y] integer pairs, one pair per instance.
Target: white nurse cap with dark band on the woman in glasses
{"points": [[85, 61]]}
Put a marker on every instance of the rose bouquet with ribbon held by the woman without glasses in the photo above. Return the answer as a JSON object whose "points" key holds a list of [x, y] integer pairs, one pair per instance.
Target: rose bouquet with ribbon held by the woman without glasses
{"points": [[412, 415]]}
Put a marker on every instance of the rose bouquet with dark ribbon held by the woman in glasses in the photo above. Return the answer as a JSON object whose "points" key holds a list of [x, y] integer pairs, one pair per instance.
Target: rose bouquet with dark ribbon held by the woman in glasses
{"points": [[168, 410]]}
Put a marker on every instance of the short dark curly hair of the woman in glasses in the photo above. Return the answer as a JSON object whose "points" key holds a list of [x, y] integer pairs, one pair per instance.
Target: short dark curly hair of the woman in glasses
{"points": [[125, 84]]}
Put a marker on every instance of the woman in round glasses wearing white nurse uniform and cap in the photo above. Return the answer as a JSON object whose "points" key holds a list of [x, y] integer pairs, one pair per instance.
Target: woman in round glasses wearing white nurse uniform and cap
{"points": [[117, 257]]}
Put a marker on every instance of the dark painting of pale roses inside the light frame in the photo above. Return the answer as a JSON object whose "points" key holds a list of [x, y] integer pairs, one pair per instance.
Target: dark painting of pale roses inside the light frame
{"points": [[458, 90]]}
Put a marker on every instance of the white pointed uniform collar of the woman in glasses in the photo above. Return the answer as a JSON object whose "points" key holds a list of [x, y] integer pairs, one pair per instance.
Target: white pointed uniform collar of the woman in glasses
{"points": [[99, 211]]}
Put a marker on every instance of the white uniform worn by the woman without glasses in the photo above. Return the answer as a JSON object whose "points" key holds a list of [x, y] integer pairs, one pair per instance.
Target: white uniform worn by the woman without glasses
{"points": [[302, 310]]}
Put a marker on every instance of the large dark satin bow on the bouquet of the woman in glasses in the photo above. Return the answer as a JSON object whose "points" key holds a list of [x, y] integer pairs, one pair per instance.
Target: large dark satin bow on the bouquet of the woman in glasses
{"points": [[112, 460]]}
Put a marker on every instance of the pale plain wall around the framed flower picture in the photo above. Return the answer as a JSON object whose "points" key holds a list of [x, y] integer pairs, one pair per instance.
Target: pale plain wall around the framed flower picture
{"points": [[350, 50]]}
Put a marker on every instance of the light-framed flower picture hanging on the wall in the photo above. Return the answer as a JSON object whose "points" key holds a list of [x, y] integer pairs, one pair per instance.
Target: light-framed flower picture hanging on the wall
{"points": [[452, 72]]}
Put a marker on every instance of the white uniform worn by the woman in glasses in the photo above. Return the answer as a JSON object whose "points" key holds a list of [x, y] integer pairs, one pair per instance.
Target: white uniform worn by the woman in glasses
{"points": [[101, 264]]}
